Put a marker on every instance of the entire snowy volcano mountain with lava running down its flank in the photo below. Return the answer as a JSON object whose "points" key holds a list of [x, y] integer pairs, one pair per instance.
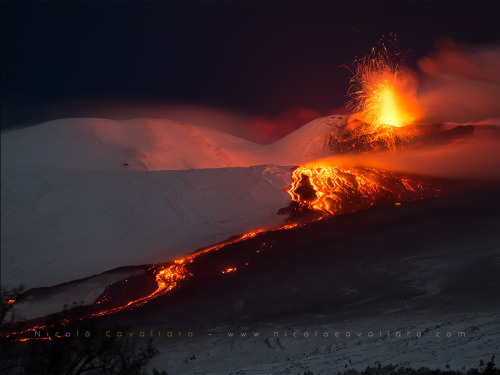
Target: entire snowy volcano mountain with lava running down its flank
{"points": [[175, 225]]}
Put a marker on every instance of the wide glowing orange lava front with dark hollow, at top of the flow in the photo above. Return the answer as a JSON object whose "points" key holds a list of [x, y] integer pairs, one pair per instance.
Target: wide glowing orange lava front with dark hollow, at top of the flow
{"points": [[333, 190]]}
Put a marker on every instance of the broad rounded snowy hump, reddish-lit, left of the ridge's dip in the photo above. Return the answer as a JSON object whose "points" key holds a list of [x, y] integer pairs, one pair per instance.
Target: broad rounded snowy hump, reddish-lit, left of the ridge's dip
{"points": [[112, 145]]}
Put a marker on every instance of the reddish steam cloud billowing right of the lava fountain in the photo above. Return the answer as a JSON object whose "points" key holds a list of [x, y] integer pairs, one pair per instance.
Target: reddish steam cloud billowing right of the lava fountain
{"points": [[461, 84]]}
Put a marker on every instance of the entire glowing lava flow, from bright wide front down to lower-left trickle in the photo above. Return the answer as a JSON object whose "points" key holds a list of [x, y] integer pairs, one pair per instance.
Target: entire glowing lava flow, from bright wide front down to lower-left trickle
{"points": [[327, 190]]}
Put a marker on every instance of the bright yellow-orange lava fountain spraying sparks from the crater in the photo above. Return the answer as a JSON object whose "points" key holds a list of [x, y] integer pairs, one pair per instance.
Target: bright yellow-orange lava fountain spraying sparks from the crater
{"points": [[383, 90]]}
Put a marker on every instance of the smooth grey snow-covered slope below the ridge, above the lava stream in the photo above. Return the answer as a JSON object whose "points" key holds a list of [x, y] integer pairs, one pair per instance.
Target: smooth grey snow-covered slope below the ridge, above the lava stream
{"points": [[61, 225]]}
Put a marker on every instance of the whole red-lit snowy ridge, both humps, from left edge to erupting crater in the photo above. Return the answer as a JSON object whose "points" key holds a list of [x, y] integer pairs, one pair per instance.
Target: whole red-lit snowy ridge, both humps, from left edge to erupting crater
{"points": [[148, 144]]}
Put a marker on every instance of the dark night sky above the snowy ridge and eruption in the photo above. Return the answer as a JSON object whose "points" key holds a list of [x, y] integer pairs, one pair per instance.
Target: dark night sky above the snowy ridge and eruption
{"points": [[259, 58]]}
